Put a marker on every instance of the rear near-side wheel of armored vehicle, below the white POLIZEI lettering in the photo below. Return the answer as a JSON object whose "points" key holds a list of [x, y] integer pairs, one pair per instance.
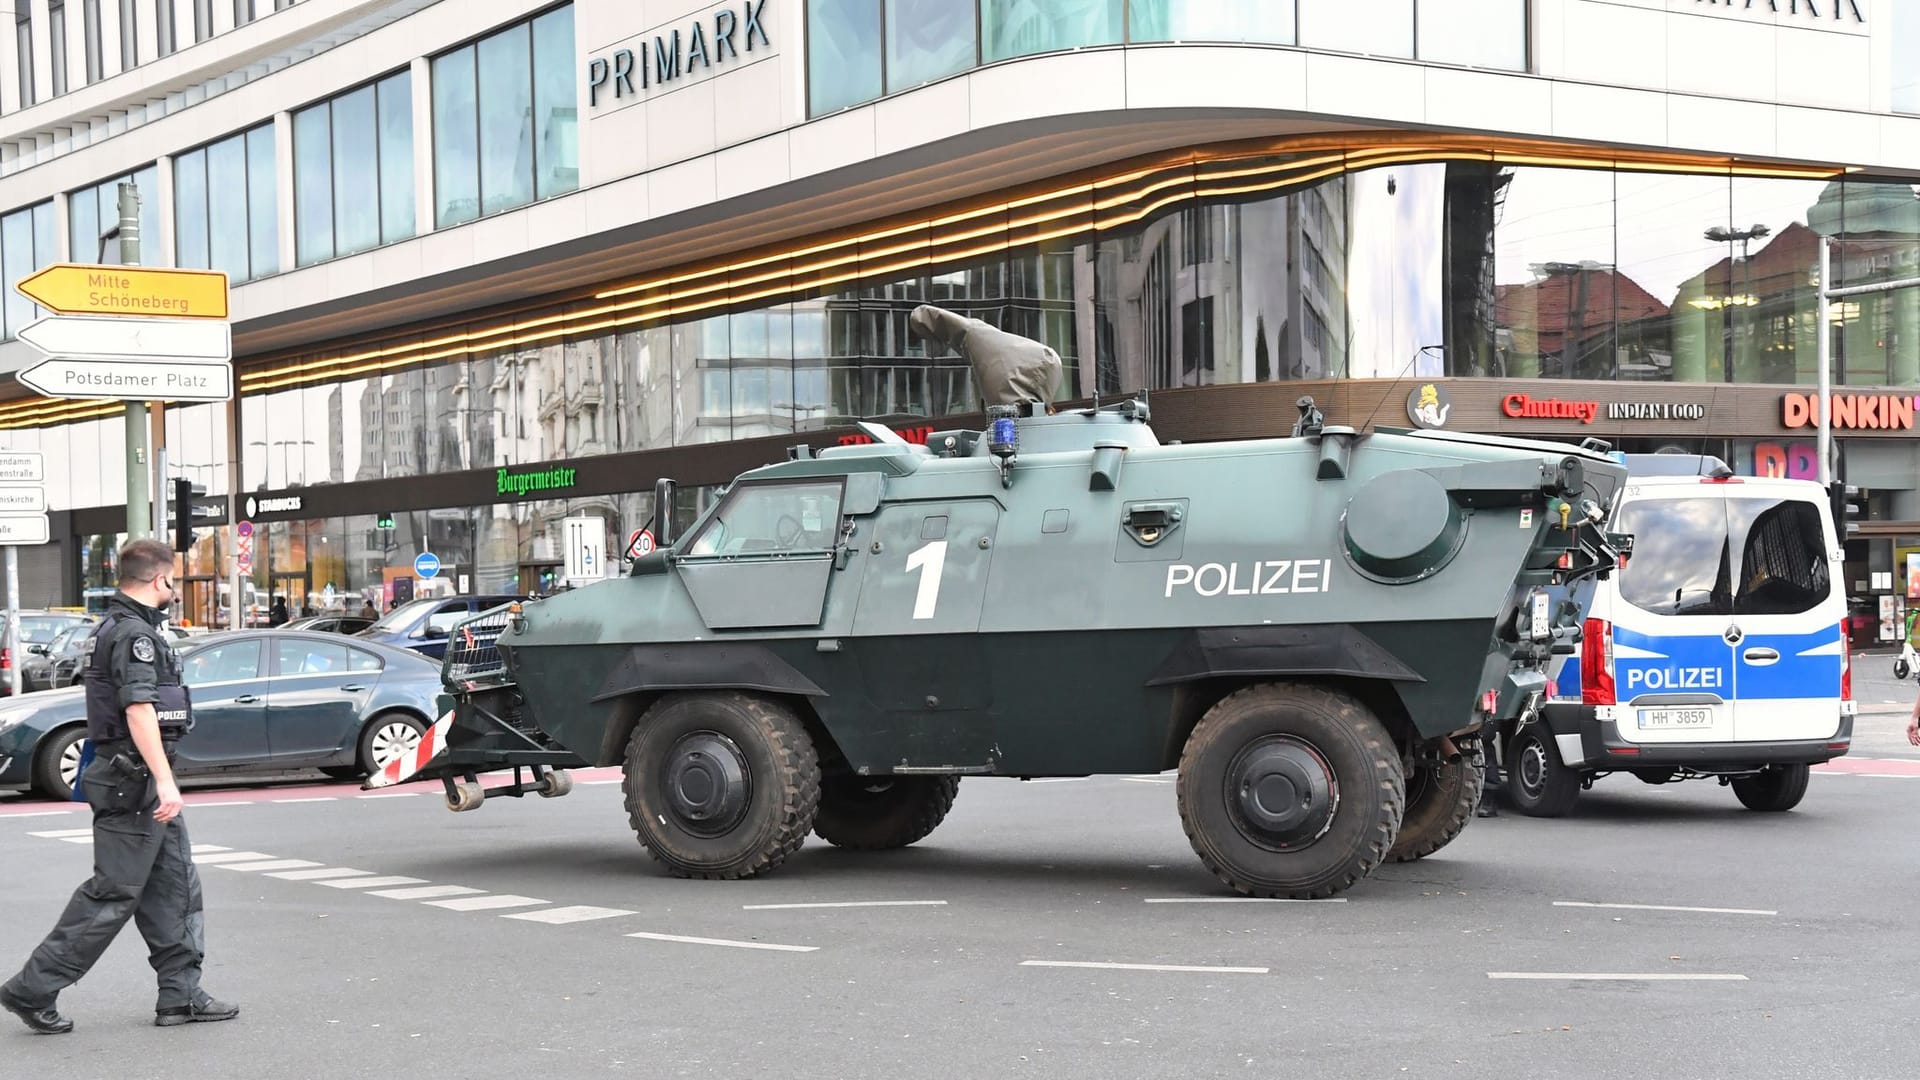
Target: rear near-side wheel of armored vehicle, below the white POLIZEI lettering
{"points": [[1291, 791]]}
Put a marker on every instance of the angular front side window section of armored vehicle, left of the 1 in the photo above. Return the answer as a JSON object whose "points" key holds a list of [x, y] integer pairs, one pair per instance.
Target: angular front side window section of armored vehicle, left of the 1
{"points": [[765, 556]]}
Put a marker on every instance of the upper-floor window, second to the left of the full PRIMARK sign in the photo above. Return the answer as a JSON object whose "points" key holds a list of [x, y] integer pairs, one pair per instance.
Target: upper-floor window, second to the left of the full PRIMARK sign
{"points": [[354, 172]]}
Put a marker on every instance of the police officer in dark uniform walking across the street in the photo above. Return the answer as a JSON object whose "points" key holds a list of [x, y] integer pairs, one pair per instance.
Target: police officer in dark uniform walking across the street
{"points": [[137, 710]]}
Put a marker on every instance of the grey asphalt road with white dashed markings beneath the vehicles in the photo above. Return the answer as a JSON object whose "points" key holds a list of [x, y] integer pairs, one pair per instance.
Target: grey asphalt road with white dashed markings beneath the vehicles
{"points": [[548, 945]]}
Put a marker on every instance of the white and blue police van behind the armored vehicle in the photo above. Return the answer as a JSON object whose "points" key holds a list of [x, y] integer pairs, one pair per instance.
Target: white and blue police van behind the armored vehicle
{"points": [[1717, 650]]}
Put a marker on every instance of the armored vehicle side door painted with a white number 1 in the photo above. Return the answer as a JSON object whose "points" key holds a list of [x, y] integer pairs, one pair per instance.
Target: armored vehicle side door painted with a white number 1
{"points": [[917, 631]]}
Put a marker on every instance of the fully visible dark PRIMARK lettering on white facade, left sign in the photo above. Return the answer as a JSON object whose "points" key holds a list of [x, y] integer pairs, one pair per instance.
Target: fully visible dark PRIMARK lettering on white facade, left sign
{"points": [[675, 55]]}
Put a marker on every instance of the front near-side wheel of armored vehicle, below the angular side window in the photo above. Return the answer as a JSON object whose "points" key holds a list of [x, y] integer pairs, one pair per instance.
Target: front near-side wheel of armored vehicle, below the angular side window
{"points": [[721, 785]]}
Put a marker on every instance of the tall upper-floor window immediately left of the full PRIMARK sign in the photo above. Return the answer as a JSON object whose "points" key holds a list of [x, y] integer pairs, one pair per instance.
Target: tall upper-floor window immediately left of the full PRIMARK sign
{"points": [[506, 120]]}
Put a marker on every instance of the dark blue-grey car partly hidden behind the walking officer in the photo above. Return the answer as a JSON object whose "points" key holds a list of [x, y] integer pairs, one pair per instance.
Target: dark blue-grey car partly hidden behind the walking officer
{"points": [[264, 702]]}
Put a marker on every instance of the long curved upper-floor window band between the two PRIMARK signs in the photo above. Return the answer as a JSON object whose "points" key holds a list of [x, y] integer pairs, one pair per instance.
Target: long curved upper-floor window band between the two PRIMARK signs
{"points": [[863, 49]]}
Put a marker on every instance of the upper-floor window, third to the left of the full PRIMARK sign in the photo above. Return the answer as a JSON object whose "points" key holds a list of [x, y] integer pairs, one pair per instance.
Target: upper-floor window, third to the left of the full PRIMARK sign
{"points": [[224, 207]]}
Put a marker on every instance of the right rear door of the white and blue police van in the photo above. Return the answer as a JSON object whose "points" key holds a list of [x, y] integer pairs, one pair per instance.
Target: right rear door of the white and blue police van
{"points": [[1788, 612]]}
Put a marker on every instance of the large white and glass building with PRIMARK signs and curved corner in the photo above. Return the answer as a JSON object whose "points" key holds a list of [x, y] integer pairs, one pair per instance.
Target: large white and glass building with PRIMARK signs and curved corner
{"points": [[498, 264]]}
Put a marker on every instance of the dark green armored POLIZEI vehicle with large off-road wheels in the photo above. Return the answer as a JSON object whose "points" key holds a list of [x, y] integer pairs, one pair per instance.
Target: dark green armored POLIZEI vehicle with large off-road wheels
{"points": [[1312, 629]]}
